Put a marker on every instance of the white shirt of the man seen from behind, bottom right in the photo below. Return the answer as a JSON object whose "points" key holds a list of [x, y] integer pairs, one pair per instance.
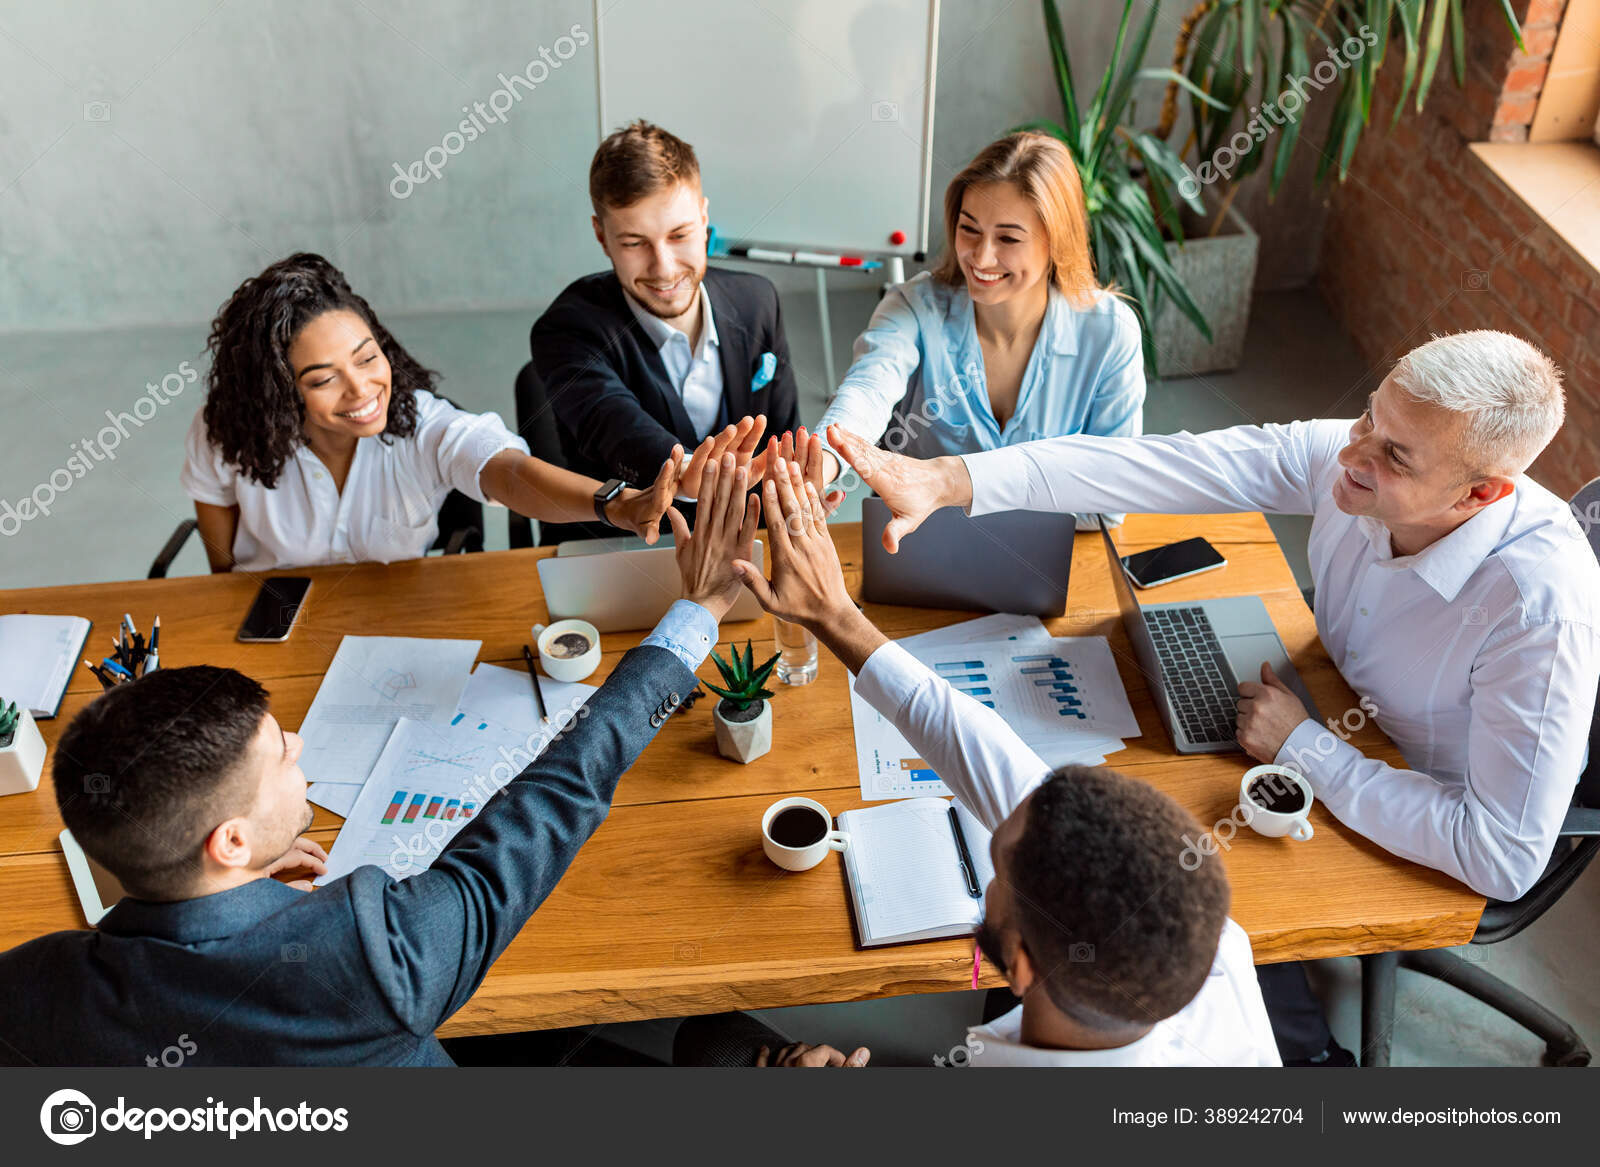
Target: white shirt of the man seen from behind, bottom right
{"points": [[991, 771]]}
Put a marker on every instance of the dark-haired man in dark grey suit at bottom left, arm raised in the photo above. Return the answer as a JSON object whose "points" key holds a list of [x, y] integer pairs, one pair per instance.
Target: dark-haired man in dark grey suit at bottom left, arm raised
{"points": [[186, 788]]}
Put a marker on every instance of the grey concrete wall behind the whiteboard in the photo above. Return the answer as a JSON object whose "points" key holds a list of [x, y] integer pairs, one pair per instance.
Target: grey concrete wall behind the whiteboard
{"points": [[156, 154]]}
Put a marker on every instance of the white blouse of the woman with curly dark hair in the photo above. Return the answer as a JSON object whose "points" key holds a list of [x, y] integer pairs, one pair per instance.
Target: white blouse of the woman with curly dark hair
{"points": [[390, 507]]}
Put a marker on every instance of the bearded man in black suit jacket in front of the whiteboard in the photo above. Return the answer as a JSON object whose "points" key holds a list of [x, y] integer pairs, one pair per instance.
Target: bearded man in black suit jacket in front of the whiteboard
{"points": [[660, 351]]}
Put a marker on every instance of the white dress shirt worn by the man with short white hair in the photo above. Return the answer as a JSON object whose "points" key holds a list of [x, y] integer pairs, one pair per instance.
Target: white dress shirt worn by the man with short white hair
{"points": [[1479, 657]]}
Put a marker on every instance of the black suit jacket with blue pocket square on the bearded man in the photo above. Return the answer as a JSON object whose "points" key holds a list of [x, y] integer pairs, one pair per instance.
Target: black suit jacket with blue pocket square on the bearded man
{"points": [[617, 412]]}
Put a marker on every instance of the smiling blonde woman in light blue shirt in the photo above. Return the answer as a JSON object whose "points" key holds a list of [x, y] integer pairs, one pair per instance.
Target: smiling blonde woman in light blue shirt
{"points": [[1010, 339]]}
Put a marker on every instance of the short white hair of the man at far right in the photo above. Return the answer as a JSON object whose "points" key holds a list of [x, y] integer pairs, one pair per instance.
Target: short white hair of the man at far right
{"points": [[1510, 391]]}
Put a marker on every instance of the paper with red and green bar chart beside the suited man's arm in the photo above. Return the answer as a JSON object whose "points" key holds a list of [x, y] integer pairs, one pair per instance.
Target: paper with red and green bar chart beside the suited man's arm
{"points": [[430, 782]]}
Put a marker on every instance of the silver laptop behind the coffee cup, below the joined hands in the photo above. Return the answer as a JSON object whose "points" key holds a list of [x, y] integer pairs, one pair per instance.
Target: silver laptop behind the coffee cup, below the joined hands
{"points": [[623, 590]]}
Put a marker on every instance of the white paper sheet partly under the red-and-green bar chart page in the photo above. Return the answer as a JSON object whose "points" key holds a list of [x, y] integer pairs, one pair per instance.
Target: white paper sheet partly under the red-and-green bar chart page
{"points": [[370, 686]]}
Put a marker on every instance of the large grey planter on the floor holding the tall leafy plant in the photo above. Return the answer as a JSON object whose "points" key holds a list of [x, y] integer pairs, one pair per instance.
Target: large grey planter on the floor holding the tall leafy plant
{"points": [[1220, 273]]}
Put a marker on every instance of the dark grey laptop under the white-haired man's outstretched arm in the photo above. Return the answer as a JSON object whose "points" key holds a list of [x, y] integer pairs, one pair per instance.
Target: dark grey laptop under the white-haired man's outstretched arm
{"points": [[1014, 561]]}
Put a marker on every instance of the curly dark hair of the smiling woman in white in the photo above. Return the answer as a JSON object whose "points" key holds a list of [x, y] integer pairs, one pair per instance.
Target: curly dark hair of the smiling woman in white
{"points": [[254, 411]]}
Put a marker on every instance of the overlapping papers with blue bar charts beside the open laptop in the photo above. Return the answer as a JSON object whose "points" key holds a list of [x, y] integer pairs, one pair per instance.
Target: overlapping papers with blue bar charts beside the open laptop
{"points": [[1062, 696]]}
